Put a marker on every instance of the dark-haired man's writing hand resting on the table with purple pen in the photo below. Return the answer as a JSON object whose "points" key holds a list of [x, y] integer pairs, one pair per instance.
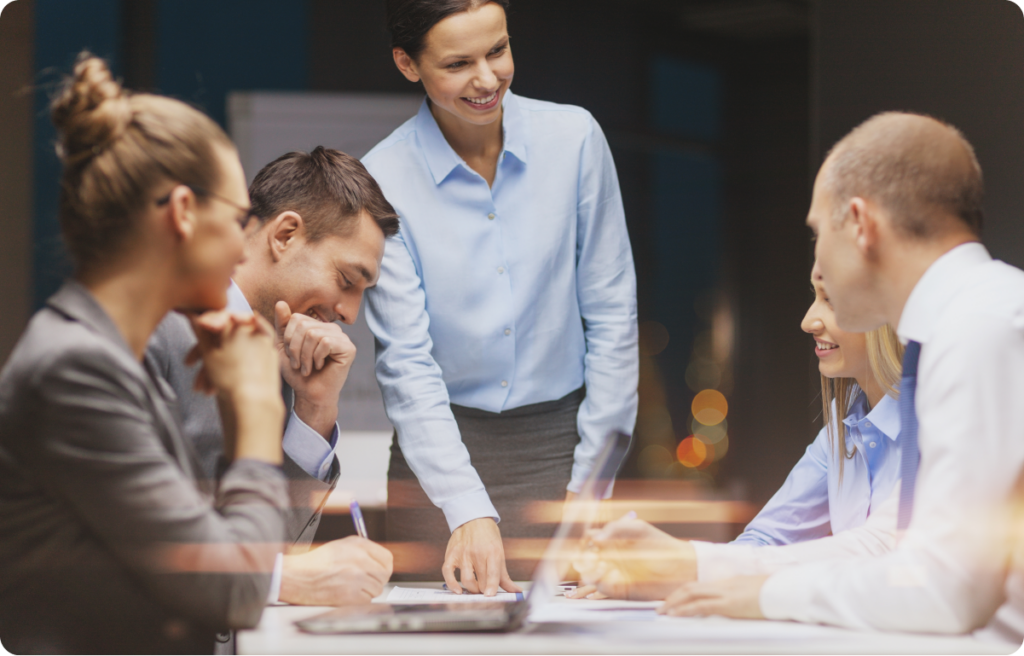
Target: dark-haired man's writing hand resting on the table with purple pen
{"points": [[343, 573]]}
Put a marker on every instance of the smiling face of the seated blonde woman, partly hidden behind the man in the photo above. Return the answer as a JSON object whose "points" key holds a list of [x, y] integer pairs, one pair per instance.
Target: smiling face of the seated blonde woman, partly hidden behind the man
{"points": [[841, 355]]}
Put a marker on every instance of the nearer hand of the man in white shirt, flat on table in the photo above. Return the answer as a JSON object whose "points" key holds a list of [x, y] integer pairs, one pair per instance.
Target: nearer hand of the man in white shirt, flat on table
{"points": [[739, 598]]}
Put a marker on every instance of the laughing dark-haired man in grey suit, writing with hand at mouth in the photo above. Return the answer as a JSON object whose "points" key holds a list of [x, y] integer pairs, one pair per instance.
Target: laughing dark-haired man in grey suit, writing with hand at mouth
{"points": [[315, 246]]}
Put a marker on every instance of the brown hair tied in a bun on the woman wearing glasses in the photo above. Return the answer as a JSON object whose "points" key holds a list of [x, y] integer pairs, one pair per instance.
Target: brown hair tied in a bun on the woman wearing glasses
{"points": [[116, 148]]}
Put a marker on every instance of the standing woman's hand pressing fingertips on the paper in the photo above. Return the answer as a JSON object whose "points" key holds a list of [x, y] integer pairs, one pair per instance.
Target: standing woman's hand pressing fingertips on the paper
{"points": [[476, 550]]}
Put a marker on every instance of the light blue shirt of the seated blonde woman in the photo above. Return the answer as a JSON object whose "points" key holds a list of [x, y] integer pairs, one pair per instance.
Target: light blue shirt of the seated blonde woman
{"points": [[814, 503]]}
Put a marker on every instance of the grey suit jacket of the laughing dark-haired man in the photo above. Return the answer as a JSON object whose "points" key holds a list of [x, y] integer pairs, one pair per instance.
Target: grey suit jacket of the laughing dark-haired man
{"points": [[201, 420]]}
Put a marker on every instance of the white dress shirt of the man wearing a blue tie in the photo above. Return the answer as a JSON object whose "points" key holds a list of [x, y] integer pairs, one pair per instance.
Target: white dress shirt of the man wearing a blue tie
{"points": [[947, 575]]}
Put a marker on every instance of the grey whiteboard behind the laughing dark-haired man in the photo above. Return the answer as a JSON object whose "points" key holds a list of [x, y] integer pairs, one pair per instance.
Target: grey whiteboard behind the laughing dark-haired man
{"points": [[266, 125]]}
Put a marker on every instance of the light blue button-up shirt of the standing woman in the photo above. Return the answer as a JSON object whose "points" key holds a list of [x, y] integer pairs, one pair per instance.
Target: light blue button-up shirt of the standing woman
{"points": [[498, 297]]}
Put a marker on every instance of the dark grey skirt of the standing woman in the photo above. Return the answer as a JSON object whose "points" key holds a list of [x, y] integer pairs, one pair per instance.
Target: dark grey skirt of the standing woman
{"points": [[523, 456]]}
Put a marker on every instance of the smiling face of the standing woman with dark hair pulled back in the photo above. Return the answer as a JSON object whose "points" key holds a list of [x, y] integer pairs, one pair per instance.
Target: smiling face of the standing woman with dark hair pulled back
{"points": [[466, 67]]}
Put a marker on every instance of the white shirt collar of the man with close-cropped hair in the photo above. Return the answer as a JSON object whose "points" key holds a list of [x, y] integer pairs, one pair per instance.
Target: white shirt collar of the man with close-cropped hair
{"points": [[934, 291]]}
